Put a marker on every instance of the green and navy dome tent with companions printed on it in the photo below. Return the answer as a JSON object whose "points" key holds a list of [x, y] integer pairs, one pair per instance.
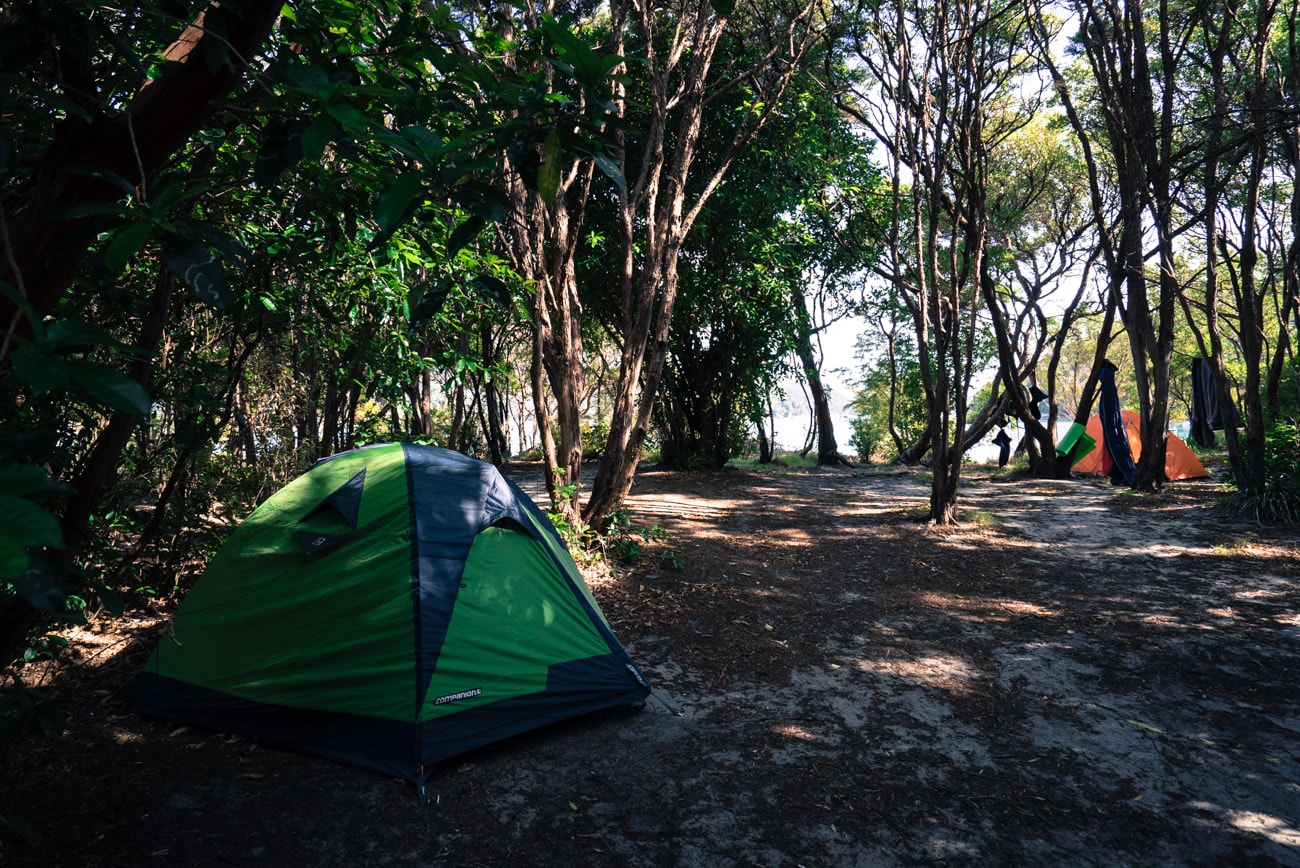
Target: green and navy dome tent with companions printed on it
{"points": [[392, 607]]}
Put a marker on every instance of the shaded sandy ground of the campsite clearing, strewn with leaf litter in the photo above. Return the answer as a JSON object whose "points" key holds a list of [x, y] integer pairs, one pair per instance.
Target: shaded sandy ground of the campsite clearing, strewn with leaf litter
{"points": [[1076, 676]]}
